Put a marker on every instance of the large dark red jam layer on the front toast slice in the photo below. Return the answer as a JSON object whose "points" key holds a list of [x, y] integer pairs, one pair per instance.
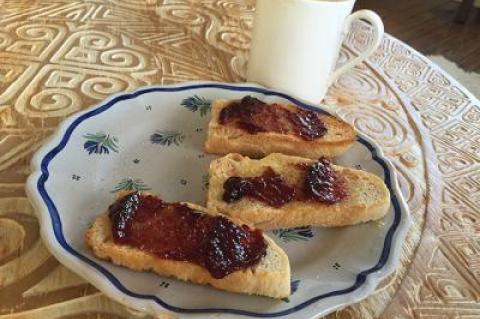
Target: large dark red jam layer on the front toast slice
{"points": [[175, 231]]}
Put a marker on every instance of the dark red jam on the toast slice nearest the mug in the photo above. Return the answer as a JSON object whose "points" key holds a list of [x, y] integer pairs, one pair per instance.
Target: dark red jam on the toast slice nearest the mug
{"points": [[254, 116]]}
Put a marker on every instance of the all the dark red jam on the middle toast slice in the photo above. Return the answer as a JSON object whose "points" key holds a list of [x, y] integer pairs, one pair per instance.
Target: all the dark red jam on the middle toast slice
{"points": [[320, 183]]}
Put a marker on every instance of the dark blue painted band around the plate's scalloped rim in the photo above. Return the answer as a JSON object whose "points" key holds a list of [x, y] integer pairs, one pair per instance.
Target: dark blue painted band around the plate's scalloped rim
{"points": [[57, 224]]}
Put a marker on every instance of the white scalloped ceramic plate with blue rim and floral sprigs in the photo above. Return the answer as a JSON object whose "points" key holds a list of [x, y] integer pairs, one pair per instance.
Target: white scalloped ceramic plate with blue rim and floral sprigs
{"points": [[151, 139]]}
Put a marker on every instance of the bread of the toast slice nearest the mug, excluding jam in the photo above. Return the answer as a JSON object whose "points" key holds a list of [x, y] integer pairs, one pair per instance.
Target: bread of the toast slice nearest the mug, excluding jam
{"points": [[224, 139]]}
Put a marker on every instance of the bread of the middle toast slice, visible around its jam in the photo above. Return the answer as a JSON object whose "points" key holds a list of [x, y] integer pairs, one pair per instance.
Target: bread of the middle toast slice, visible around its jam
{"points": [[368, 198]]}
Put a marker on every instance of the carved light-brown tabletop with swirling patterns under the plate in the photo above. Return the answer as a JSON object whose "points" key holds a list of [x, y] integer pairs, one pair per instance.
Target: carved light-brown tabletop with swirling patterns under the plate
{"points": [[59, 56]]}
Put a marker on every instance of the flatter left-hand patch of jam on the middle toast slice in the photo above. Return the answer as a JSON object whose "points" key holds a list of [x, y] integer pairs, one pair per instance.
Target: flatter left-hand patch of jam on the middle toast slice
{"points": [[269, 188]]}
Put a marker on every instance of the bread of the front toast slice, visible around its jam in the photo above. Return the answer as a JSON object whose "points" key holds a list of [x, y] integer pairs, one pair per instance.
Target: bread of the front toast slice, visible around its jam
{"points": [[270, 277]]}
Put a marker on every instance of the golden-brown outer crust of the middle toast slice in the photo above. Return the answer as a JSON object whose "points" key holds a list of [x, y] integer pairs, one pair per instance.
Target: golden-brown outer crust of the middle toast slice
{"points": [[295, 214]]}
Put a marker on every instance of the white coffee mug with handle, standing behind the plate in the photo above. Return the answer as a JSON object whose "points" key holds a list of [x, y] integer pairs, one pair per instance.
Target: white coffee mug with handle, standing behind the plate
{"points": [[296, 43]]}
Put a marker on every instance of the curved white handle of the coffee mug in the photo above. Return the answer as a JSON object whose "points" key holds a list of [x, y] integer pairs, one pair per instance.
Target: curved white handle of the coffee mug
{"points": [[378, 28]]}
